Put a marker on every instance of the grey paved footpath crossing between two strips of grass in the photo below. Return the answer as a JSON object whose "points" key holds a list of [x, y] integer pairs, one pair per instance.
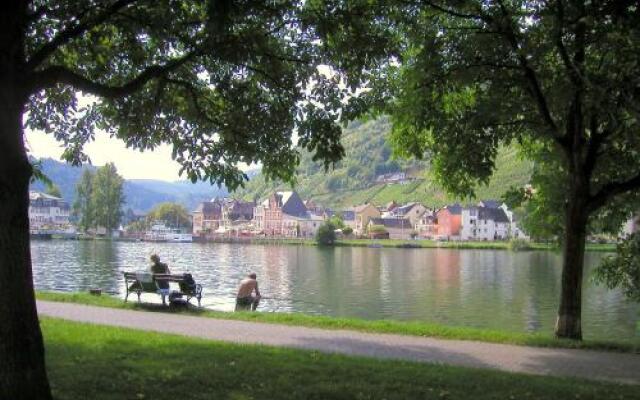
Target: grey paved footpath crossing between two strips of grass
{"points": [[608, 366]]}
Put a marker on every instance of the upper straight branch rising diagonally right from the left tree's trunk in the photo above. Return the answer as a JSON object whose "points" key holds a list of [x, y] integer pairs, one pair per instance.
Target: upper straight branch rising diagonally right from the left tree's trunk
{"points": [[70, 33]]}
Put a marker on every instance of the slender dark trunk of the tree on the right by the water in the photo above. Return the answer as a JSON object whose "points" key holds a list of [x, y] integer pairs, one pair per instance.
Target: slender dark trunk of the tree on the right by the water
{"points": [[568, 324]]}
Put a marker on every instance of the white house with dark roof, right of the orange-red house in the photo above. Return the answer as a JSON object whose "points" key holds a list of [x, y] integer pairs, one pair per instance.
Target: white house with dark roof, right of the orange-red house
{"points": [[484, 223]]}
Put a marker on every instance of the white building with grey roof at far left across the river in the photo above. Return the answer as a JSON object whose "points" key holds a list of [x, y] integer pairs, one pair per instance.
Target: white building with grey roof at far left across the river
{"points": [[47, 212]]}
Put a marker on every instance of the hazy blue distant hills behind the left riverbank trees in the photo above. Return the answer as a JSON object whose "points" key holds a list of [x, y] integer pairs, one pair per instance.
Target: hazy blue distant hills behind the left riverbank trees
{"points": [[140, 194]]}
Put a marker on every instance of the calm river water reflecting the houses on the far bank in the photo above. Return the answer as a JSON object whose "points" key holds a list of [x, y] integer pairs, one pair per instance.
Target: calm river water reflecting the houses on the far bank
{"points": [[497, 289]]}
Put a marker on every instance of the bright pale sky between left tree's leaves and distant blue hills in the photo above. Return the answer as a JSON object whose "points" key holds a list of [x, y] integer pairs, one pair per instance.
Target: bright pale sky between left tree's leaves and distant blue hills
{"points": [[131, 164]]}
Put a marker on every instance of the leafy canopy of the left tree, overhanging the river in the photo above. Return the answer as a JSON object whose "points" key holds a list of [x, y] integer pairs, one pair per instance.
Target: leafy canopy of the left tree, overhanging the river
{"points": [[222, 82]]}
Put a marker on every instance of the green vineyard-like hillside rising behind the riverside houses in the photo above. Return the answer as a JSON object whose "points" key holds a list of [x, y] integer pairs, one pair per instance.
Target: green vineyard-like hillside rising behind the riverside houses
{"points": [[353, 180]]}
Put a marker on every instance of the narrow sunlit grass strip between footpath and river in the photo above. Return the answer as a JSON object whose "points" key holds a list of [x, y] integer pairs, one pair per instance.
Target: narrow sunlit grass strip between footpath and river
{"points": [[413, 328]]}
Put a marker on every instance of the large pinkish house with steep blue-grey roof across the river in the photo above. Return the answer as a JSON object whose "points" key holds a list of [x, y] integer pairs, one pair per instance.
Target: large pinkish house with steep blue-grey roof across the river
{"points": [[281, 215]]}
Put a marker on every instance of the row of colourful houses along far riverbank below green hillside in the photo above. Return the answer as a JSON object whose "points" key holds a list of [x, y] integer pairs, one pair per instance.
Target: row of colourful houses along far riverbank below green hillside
{"points": [[286, 214]]}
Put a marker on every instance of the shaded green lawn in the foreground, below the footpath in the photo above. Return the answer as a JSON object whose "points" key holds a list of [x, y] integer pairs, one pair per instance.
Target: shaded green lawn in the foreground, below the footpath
{"points": [[94, 362]]}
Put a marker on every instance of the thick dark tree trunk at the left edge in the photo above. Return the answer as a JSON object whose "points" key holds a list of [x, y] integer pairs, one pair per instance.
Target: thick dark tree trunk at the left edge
{"points": [[22, 367]]}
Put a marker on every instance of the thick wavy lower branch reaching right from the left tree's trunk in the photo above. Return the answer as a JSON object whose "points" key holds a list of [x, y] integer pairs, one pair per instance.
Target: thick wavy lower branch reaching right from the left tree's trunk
{"points": [[58, 74]]}
